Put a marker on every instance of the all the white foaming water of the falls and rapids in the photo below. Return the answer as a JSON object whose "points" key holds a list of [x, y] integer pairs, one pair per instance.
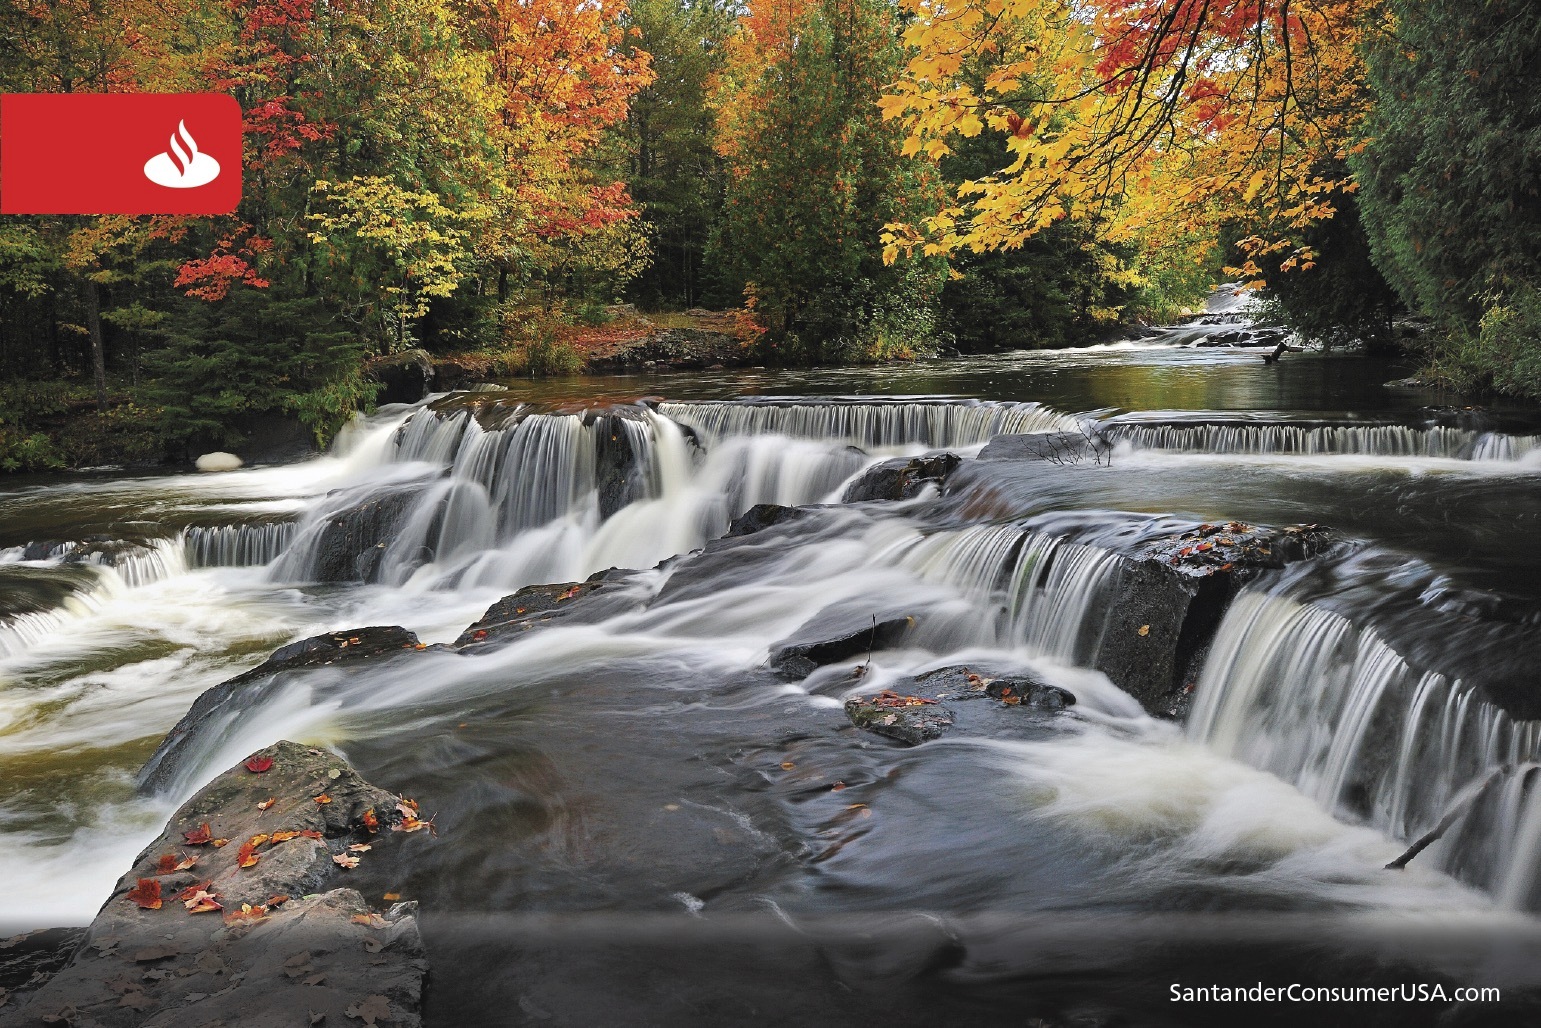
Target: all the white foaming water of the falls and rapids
{"points": [[1277, 742]]}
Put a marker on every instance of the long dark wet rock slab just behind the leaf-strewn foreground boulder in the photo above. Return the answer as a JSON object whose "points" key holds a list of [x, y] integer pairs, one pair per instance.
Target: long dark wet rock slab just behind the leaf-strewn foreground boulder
{"points": [[227, 697]]}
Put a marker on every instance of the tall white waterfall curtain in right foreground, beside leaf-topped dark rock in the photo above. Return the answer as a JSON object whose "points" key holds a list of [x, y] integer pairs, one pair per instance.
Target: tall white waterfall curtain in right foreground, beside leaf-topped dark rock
{"points": [[1303, 693]]}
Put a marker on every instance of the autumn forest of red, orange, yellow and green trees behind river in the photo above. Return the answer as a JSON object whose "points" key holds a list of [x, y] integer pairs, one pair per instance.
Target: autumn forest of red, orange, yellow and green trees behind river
{"points": [[851, 181]]}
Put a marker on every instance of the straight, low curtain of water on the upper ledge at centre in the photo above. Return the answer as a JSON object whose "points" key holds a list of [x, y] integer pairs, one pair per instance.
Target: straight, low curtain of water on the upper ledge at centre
{"points": [[871, 423]]}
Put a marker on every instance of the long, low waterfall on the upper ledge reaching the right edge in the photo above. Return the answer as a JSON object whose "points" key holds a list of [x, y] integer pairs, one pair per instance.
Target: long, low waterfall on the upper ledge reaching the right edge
{"points": [[1263, 440]]}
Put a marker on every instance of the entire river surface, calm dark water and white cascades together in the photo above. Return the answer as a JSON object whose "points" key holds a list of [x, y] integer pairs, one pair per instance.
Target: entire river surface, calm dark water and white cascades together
{"points": [[637, 815]]}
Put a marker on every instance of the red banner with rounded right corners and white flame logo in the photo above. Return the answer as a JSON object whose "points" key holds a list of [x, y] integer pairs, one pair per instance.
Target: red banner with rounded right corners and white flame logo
{"points": [[119, 153]]}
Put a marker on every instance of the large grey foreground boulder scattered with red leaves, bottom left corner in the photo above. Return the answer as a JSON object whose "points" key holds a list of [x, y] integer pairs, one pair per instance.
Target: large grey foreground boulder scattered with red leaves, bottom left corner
{"points": [[294, 955]]}
